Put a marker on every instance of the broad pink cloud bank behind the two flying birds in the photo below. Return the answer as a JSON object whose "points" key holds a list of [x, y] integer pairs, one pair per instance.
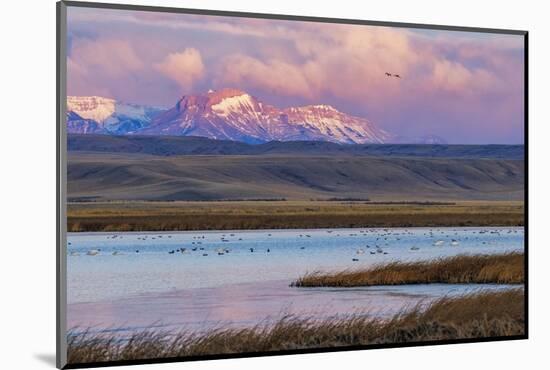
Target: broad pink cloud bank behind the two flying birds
{"points": [[350, 62]]}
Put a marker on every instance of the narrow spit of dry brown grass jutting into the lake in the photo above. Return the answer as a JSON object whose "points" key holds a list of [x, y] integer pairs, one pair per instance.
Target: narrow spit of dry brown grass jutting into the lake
{"points": [[499, 269]]}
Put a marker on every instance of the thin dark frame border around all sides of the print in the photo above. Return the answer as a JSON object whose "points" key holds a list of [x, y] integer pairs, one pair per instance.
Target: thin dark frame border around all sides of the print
{"points": [[61, 188]]}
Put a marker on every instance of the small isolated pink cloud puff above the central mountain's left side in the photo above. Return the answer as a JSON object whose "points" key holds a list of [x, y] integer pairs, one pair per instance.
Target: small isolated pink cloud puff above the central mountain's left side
{"points": [[184, 67]]}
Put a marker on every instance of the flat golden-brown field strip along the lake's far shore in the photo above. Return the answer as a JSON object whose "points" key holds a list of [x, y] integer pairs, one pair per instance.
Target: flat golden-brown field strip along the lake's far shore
{"points": [[234, 215]]}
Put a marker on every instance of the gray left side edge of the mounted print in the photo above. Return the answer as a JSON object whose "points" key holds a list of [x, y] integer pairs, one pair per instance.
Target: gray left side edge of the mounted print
{"points": [[61, 187]]}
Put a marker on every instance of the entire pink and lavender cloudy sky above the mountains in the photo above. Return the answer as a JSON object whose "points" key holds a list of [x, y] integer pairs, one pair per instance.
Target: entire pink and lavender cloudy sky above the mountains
{"points": [[464, 87]]}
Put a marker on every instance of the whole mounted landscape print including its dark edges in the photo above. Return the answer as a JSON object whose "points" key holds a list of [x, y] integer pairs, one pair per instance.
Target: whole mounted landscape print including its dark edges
{"points": [[239, 184]]}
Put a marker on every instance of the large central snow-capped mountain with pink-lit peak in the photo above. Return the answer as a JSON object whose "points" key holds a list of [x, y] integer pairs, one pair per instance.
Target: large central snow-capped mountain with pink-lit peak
{"points": [[232, 114]]}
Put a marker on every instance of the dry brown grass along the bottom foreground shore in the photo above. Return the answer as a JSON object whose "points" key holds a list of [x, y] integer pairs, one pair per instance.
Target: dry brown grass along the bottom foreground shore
{"points": [[481, 315]]}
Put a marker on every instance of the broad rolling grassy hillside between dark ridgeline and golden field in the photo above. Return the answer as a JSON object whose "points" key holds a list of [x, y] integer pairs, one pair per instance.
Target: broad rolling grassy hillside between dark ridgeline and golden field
{"points": [[123, 176]]}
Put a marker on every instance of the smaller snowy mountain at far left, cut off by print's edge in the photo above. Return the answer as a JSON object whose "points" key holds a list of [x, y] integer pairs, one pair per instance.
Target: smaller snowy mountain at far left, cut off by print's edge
{"points": [[94, 114]]}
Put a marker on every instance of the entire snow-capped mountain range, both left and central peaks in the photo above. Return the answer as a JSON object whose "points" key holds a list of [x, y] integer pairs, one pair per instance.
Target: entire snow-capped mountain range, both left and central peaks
{"points": [[226, 114]]}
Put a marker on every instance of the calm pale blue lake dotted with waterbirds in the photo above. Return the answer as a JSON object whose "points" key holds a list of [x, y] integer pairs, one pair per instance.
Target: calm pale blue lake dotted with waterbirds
{"points": [[242, 277]]}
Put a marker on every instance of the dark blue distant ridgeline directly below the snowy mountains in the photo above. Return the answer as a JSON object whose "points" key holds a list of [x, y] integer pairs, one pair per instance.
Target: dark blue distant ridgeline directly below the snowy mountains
{"points": [[191, 145]]}
